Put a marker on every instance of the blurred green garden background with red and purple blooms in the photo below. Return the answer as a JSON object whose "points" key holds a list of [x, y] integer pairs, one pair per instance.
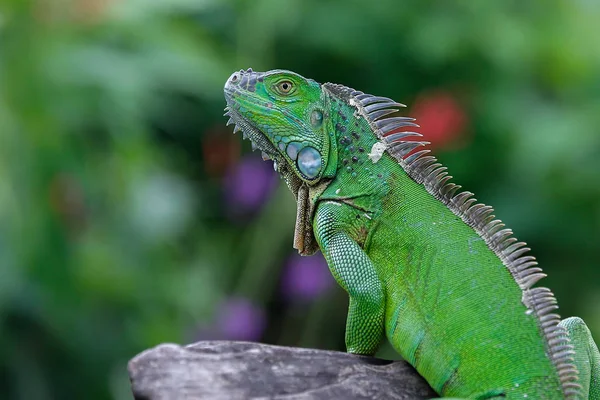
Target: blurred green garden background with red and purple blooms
{"points": [[130, 215]]}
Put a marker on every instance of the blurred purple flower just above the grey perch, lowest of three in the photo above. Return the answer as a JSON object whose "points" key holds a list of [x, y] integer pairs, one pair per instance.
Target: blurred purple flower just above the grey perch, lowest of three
{"points": [[239, 319]]}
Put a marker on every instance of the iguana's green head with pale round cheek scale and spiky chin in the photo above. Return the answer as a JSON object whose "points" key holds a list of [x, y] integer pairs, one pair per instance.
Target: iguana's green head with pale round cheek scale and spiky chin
{"points": [[286, 117]]}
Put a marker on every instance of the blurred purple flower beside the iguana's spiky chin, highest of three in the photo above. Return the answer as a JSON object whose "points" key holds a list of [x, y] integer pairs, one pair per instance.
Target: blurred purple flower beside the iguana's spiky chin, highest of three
{"points": [[248, 185]]}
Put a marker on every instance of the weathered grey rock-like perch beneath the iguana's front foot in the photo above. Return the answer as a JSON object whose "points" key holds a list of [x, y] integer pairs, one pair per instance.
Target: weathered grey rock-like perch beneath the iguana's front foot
{"points": [[240, 370]]}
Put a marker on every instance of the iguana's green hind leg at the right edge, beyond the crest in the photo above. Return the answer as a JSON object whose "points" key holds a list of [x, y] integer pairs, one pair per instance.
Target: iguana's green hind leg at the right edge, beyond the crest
{"points": [[587, 356]]}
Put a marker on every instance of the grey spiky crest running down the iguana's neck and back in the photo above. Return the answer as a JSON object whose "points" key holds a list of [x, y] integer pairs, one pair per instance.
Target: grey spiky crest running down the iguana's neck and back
{"points": [[425, 170]]}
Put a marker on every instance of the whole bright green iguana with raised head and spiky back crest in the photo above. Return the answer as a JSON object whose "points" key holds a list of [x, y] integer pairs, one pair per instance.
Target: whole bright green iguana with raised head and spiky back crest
{"points": [[423, 264]]}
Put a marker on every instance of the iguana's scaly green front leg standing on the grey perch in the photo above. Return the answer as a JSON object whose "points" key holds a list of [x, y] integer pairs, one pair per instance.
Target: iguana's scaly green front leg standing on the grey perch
{"points": [[353, 270]]}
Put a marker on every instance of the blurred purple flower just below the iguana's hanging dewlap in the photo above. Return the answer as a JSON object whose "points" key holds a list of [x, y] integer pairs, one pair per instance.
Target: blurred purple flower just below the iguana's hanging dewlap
{"points": [[306, 277]]}
